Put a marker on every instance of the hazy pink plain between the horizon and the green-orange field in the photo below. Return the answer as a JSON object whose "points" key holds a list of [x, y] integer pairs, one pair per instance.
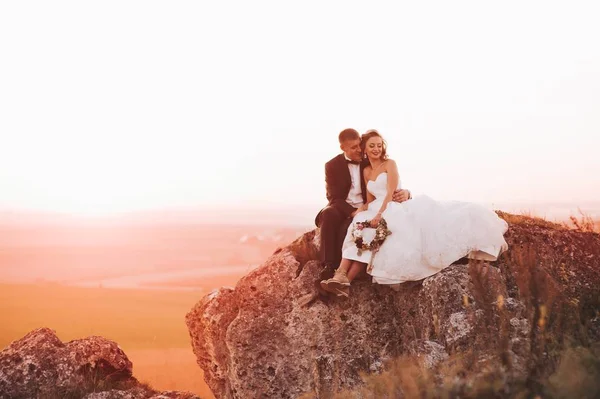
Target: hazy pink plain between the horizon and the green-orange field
{"points": [[80, 253]]}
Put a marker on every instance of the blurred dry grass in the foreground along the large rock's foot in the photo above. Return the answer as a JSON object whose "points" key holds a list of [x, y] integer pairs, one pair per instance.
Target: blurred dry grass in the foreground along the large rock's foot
{"points": [[577, 376]]}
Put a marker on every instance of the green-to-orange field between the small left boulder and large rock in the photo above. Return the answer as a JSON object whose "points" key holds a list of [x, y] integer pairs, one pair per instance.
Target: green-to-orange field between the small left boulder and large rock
{"points": [[148, 324]]}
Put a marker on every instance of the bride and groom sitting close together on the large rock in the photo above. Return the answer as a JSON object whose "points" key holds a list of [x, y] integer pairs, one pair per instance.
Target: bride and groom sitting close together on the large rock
{"points": [[405, 239]]}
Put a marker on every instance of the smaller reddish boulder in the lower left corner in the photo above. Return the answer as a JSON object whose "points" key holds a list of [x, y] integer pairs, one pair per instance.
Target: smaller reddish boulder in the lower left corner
{"points": [[39, 365]]}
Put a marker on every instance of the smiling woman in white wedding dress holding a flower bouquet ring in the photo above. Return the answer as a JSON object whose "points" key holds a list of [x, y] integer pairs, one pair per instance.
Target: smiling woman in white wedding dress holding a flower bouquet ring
{"points": [[425, 236]]}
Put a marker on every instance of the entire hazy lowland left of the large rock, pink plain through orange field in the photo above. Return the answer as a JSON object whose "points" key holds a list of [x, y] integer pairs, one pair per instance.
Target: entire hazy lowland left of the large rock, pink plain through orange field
{"points": [[45, 270]]}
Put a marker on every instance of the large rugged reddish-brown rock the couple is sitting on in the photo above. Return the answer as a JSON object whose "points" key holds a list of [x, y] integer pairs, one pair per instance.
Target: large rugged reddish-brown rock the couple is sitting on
{"points": [[508, 324]]}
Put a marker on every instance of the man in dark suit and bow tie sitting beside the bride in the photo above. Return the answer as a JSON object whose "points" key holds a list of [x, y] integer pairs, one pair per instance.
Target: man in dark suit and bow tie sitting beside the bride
{"points": [[346, 192]]}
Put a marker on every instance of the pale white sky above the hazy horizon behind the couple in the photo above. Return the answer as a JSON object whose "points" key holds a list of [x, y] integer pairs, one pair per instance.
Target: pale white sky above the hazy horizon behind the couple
{"points": [[123, 105]]}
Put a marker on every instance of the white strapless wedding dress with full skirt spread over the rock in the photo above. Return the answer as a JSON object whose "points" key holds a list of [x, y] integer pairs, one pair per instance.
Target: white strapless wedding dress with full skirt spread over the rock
{"points": [[427, 236]]}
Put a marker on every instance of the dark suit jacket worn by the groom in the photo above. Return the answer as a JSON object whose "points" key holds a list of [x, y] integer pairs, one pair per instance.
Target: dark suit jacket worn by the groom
{"points": [[338, 183]]}
